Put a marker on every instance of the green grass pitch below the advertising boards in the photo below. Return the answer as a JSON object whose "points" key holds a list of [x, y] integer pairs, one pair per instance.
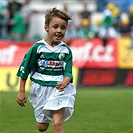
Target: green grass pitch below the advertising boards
{"points": [[97, 110]]}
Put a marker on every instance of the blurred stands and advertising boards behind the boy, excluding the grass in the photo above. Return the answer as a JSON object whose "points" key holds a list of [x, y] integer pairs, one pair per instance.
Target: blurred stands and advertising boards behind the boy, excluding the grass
{"points": [[100, 36]]}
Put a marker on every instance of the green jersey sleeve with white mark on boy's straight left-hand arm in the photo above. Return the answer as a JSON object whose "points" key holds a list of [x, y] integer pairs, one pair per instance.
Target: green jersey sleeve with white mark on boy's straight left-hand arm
{"points": [[28, 63]]}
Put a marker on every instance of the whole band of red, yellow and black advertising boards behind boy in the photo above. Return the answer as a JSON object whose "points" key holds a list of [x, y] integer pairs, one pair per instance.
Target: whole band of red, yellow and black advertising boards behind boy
{"points": [[94, 64]]}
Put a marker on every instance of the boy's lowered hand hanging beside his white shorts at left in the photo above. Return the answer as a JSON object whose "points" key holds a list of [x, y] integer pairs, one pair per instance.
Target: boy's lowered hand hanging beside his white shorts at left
{"points": [[21, 98]]}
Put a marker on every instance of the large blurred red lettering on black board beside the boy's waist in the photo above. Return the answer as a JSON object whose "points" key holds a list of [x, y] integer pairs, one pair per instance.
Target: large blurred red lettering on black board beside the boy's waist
{"points": [[97, 77]]}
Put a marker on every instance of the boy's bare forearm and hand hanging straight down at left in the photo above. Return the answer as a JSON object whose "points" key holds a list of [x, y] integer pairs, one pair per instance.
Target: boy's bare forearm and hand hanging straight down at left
{"points": [[21, 98]]}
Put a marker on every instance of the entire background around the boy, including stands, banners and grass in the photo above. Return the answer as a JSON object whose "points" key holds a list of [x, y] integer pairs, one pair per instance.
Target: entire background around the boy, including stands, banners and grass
{"points": [[101, 38]]}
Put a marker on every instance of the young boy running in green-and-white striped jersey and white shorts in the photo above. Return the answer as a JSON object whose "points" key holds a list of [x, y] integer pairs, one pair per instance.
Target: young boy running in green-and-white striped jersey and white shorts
{"points": [[49, 63]]}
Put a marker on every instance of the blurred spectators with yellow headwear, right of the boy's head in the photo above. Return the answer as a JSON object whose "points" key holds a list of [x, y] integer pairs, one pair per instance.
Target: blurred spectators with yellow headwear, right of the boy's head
{"points": [[112, 24]]}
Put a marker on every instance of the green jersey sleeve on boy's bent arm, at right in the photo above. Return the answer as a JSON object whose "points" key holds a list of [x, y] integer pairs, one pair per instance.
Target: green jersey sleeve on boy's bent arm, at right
{"points": [[68, 66]]}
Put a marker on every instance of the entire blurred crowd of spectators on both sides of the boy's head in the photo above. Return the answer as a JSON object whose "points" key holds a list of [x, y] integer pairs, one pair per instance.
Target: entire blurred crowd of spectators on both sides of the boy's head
{"points": [[112, 24]]}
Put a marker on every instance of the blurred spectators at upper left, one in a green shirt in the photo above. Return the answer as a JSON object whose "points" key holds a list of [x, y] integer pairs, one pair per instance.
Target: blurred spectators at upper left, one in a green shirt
{"points": [[14, 20]]}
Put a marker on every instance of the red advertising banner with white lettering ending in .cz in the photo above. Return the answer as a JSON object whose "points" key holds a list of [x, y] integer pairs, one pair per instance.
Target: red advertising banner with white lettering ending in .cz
{"points": [[92, 54]]}
